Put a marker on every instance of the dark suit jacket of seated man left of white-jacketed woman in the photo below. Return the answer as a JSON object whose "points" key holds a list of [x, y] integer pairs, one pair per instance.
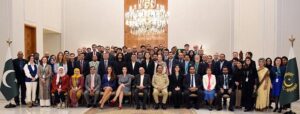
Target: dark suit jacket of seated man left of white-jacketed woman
{"points": [[187, 81]]}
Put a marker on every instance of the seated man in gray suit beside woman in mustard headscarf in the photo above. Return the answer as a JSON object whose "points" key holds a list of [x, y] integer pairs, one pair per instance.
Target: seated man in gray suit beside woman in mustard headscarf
{"points": [[92, 87]]}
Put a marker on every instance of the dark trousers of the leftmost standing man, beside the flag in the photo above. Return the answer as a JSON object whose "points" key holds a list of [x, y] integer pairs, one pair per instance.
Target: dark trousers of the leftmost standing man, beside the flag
{"points": [[23, 92]]}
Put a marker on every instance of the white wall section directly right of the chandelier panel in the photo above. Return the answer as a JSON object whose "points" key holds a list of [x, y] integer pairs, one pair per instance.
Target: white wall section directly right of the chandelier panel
{"points": [[206, 22]]}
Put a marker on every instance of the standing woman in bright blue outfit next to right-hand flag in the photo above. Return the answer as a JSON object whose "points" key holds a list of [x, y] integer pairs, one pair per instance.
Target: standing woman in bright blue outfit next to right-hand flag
{"points": [[277, 79]]}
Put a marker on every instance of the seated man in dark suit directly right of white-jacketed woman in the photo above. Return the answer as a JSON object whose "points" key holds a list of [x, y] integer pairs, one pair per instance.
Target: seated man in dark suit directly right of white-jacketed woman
{"points": [[225, 85]]}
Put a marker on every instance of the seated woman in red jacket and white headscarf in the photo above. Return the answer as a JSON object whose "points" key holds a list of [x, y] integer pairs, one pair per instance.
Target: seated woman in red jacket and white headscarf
{"points": [[60, 84]]}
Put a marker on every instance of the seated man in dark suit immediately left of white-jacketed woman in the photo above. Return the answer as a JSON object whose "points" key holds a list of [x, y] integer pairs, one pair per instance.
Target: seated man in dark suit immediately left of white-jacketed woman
{"points": [[192, 85]]}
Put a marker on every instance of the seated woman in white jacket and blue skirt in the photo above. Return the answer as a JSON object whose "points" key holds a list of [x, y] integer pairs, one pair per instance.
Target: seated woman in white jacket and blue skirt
{"points": [[209, 84]]}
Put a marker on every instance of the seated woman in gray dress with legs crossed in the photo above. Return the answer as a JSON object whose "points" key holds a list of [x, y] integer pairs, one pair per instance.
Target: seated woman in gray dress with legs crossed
{"points": [[124, 81]]}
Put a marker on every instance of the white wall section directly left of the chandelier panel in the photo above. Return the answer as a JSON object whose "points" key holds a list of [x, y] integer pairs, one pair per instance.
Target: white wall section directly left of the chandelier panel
{"points": [[93, 21]]}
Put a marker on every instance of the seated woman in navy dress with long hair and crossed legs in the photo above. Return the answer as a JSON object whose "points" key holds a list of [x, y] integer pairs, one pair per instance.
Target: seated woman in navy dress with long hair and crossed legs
{"points": [[108, 84]]}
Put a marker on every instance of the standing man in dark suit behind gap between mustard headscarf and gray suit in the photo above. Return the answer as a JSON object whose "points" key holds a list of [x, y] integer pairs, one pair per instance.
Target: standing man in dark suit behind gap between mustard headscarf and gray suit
{"points": [[83, 65]]}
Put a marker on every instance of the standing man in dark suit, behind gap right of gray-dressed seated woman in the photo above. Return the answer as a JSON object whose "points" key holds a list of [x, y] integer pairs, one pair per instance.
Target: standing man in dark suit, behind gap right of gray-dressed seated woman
{"points": [[133, 66]]}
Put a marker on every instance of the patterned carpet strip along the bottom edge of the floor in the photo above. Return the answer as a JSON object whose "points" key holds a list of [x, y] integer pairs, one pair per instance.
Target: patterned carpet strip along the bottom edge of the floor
{"points": [[133, 111]]}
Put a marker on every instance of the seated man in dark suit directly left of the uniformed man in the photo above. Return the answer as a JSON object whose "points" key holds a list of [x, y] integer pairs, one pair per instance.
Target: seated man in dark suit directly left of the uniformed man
{"points": [[142, 84]]}
